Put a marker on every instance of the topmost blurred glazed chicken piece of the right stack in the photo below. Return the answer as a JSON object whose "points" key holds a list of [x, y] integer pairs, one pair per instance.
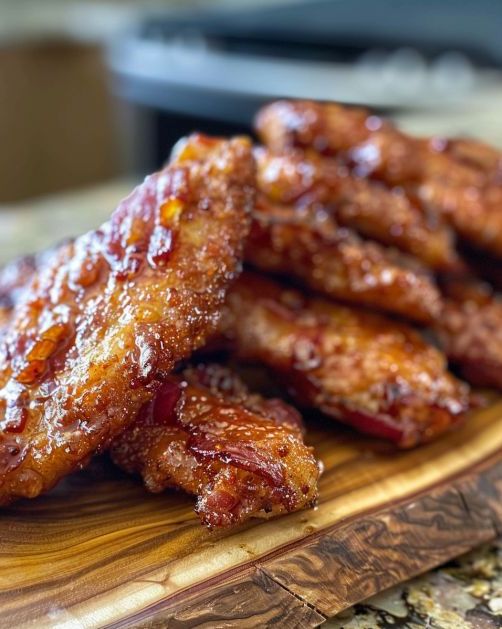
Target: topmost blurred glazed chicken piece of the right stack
{"points": [[444, 181]]}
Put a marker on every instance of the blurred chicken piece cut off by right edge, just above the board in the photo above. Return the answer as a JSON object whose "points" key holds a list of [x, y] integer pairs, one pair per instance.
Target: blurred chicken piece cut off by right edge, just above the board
{"points": [[470, 330]]}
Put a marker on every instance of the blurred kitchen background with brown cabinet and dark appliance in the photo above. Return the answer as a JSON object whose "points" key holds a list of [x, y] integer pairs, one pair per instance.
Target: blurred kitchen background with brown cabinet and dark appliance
{"points": [[98, 91]]}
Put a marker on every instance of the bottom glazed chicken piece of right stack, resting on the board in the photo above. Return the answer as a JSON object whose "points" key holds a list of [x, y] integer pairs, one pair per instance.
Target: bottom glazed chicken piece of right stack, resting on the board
{"points": [[374, 374]]}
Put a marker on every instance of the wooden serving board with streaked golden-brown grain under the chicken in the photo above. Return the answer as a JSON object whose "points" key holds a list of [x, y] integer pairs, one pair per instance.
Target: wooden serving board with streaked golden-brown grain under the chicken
{"points": [[99, 551]]}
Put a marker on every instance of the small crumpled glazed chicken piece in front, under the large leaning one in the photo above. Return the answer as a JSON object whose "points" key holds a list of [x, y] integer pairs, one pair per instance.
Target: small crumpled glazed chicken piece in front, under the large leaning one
{"points": [[241, 455]]}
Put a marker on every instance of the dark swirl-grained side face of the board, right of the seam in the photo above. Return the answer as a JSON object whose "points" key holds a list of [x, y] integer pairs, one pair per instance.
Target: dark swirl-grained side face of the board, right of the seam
{"points": [[371, 553]]}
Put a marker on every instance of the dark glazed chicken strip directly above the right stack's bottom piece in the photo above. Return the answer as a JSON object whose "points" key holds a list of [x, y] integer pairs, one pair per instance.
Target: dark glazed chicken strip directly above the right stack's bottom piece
{"points": [[337, 263]]}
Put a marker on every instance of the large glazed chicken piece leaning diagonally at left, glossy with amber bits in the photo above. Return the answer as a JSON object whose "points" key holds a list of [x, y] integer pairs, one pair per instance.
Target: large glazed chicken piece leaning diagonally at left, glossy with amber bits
{"points": [[108, 316]]}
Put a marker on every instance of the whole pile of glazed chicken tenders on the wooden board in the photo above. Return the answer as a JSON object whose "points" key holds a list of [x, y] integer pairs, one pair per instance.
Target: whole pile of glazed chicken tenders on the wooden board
{"points": [[353, 262]]}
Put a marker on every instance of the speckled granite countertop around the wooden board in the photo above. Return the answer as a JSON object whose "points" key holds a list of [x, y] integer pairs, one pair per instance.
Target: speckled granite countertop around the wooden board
{"points": [[464, 594]]}
